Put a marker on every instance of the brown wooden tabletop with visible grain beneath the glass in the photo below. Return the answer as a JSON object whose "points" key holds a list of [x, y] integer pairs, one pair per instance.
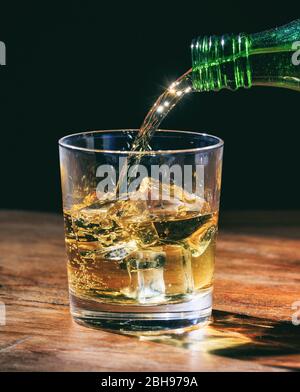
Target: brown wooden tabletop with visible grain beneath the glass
{"points": [[257, 281]]}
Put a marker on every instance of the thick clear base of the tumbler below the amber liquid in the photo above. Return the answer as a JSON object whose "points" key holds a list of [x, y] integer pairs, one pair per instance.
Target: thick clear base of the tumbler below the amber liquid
{"points": [[173, 318]]}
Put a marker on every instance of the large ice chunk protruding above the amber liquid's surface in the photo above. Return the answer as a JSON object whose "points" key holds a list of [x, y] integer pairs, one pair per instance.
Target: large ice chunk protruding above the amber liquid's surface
{"points": [[154, 205]]}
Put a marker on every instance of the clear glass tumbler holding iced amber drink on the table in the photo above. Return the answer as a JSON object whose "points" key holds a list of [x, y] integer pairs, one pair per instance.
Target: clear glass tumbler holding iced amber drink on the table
{"points": [[140, 228]]}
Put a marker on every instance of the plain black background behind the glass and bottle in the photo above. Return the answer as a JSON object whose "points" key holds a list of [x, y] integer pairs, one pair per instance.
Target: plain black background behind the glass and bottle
{"points": [[100, 65]]}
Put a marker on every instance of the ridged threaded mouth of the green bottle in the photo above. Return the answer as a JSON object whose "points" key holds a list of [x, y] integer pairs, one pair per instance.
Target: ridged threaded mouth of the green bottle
{"points": [[221, 62]]}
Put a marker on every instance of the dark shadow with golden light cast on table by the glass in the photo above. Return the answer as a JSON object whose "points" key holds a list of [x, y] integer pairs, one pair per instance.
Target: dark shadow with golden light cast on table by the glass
{"points": [[240, 337]]}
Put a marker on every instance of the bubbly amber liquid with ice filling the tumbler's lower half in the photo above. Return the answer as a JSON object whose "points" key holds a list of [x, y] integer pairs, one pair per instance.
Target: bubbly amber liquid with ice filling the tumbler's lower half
{"points": [[123, 253]]}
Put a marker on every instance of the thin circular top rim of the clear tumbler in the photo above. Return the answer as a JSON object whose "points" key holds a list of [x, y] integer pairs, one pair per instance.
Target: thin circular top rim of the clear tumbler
{"points": [[219, 143]]}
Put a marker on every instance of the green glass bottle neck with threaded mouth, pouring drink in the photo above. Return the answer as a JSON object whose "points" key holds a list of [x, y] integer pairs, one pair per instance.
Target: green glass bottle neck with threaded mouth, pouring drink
{"points": [[270, 58]]}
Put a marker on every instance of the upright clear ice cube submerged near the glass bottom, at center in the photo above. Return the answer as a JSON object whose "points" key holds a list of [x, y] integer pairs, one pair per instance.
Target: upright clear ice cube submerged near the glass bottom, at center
{"points": [[146, 270]]}
